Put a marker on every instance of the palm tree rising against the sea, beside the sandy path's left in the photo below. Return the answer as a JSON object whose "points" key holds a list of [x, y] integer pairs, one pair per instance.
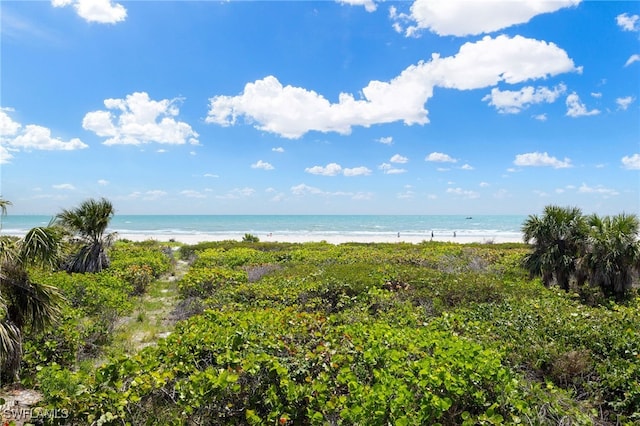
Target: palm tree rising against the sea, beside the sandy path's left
{"points": [[87, 224]]}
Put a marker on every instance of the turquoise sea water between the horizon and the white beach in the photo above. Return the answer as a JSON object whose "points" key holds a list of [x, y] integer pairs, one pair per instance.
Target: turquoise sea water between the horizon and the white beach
{"points": [[485, 226]]}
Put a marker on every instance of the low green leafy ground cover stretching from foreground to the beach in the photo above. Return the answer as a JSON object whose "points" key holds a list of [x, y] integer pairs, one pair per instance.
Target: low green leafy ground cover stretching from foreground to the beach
{"points": [[368, 334]]}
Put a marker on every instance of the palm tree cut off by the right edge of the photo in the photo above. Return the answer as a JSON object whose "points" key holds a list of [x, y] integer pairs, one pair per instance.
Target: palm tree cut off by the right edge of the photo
{"points": [[612, 252]]}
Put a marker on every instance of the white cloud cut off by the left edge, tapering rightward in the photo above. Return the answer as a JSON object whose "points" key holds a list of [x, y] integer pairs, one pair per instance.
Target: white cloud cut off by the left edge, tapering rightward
{"points": [[15, 137]]}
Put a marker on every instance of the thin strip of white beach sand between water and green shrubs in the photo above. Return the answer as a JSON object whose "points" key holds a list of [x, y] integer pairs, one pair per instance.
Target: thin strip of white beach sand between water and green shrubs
{"points": [[332, 239]]}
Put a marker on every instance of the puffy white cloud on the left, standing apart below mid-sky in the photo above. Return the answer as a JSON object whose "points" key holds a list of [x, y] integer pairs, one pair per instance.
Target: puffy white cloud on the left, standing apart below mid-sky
{"points": [[138, 120]]}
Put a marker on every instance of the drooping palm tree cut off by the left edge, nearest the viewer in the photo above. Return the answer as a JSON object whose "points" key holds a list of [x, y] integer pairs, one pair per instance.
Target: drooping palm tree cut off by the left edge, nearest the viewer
{"points": [[25, 304]]}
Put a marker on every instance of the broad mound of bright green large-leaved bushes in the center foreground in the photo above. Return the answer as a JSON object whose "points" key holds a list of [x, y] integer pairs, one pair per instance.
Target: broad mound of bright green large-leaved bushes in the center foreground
{"points": [[270, 366]]}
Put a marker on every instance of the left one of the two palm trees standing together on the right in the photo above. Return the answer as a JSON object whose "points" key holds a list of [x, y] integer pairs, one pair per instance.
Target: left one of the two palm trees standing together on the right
{"points": [[557, 237]]}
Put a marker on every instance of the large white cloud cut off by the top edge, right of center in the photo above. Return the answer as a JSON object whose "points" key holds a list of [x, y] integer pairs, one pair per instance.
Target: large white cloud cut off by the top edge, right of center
{"points": [[461, 18]]}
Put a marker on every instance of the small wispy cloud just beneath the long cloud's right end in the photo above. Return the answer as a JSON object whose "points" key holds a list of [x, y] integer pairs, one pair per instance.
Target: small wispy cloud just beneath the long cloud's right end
{"points": [[512, 102]]}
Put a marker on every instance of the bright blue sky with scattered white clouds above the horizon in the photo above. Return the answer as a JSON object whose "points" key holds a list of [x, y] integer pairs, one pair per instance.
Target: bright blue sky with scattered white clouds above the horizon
{"points": [[321, 107]]}
